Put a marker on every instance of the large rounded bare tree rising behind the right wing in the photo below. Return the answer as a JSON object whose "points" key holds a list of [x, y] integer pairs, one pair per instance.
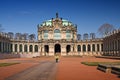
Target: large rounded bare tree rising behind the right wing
{"points": [[105, 29]]}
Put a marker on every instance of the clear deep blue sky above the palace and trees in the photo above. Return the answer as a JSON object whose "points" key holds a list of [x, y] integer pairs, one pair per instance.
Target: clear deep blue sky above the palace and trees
{"points": [[24, 15]]}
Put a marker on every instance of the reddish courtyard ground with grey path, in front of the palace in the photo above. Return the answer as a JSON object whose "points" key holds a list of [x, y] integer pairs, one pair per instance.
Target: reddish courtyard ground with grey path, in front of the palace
{"points": [[45, 68]]}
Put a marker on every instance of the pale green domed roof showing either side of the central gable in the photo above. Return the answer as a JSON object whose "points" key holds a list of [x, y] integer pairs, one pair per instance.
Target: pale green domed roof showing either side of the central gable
{"points": [[49, 23]]}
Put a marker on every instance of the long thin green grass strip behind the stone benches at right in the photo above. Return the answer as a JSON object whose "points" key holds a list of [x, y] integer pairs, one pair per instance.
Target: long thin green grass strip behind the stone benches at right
{"points": [[96, 63]]}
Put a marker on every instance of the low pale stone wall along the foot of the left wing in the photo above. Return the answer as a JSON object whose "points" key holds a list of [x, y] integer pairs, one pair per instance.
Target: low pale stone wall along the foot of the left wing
{"points": [[19, 55]]}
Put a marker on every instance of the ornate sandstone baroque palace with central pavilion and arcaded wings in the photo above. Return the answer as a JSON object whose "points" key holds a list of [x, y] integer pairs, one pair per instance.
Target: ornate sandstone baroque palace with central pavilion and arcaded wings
{"points": [[55, 36]]}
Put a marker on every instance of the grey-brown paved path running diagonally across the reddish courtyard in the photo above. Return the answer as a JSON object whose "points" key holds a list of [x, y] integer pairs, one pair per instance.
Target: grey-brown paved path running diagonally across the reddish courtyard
{"points": [[46, 70]]}
